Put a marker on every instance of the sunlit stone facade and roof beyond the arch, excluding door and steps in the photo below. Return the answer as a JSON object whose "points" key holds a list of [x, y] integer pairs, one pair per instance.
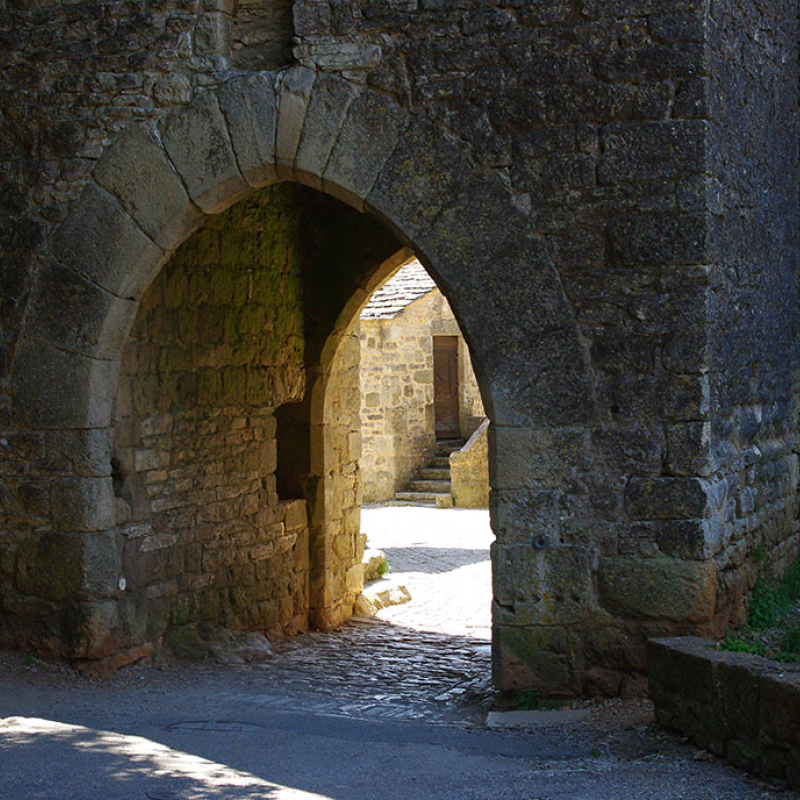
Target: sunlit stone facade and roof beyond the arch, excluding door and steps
{"points": [[397, 331]]}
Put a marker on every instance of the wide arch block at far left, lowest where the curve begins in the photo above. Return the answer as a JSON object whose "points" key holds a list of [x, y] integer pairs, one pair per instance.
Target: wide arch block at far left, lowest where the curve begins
{"points": [[54, 388]]}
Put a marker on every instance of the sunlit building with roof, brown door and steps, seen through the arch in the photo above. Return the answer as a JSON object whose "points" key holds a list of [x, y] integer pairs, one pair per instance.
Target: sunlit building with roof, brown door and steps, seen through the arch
{"points": [[424, 430]]}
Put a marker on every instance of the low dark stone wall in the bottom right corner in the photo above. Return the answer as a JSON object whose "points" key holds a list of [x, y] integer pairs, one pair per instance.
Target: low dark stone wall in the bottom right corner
{"points": [[739, 706]]}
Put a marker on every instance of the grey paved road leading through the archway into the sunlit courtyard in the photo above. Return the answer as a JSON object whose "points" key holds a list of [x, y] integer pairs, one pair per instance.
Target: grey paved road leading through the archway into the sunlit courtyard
{"points": [[372, 711]]}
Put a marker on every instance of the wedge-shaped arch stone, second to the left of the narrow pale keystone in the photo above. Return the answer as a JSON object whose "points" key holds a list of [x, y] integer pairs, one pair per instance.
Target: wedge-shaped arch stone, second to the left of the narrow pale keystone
{"points": [[198, 143]]}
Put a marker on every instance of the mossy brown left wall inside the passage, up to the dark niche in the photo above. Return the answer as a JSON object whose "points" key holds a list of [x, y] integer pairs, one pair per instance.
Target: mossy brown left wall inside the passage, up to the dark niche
{"points": [[217, 346]]}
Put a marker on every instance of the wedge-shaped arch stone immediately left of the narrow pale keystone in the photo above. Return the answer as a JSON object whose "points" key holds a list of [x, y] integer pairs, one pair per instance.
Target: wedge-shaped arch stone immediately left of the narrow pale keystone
{"points": [[249, 106]]}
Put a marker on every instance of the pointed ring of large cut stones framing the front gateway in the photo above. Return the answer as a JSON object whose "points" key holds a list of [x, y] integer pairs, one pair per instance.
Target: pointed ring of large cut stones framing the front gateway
{"points": [[153, 188]]}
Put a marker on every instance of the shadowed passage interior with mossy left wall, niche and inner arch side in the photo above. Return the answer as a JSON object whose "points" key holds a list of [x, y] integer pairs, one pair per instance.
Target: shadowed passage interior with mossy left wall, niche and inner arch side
{"points": [[222, 509]]}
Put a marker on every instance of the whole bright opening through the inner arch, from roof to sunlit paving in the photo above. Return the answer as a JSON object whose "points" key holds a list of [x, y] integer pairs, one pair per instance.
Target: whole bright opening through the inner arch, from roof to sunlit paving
{"points": [[425, 488]]}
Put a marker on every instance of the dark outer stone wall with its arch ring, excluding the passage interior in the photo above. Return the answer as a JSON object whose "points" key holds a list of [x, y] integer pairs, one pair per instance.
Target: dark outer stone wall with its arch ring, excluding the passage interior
{"points": [[606, 192]]}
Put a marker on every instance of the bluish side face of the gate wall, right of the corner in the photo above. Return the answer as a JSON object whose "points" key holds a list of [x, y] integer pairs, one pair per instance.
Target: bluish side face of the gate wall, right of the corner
{"points": [[748, 441]]}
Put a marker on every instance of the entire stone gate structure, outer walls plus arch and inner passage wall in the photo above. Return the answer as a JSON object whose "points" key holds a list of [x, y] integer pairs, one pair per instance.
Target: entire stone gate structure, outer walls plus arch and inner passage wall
{"points": [[604, 190]]}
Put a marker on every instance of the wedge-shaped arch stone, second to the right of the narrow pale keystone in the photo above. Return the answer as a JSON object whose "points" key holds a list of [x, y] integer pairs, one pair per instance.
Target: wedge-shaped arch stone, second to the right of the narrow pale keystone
{"points": [[370, 130]]}
